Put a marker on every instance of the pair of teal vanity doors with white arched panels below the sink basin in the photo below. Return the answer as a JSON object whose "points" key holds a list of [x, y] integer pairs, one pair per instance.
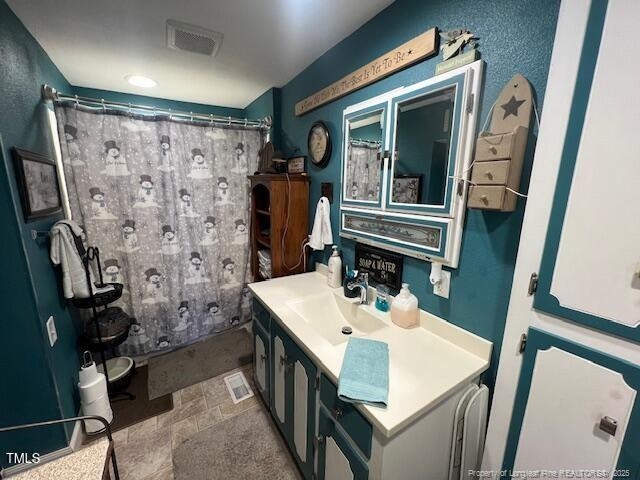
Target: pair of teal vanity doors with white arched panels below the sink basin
{"points": [[293, 397]]}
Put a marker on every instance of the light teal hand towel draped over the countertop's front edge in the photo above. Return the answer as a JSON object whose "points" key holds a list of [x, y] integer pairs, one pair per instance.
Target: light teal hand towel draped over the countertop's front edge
{"points": [[364, 376]]}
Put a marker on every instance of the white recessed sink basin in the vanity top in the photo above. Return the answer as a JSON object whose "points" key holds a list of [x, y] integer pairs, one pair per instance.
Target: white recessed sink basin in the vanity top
{"points": [[328, 314]]}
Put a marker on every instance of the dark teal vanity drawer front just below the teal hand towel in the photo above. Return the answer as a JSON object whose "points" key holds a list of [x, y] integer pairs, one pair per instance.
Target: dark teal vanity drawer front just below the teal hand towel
{"points": [[358, 428]]}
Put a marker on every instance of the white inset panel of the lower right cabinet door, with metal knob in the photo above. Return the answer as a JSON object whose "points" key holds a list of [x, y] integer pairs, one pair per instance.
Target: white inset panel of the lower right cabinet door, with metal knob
{"points": [[568, 397]]}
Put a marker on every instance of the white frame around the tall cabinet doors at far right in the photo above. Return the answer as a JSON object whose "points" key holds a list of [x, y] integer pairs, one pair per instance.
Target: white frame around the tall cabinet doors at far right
{"points": [[570, 34]]}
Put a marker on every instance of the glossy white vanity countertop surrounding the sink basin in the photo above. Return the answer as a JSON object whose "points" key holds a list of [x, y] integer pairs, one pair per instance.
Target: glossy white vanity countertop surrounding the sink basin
{"points": [[426, 363]]}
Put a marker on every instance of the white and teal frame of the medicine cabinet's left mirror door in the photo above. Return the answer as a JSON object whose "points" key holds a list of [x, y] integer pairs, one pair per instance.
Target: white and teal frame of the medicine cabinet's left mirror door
{"points": [[347, 119]]}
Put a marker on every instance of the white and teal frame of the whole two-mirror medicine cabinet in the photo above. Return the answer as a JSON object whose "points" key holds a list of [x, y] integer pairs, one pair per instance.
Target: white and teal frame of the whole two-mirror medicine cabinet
{"points": [[449, 220]]}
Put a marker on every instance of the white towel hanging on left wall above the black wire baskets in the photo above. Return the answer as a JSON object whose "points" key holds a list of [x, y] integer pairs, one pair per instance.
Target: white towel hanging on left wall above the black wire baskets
{"points": [[63, 252]]}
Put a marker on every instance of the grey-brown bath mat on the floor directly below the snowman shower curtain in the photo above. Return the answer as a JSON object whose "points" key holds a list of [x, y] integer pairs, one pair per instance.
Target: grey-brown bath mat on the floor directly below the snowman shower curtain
{"points": [[197, 362]]}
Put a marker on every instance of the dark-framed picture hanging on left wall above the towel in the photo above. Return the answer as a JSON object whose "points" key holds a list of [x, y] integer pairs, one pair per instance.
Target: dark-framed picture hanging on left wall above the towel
{"points": [[38, 184]]}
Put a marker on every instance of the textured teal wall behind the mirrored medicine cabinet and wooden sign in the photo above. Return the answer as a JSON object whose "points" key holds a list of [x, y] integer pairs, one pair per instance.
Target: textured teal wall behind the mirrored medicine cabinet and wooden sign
{"points": [[515, 37]]}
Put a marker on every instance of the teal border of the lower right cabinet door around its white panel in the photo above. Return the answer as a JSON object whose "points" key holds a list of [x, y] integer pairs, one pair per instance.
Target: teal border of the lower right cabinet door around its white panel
{"points": [[538, 340]]}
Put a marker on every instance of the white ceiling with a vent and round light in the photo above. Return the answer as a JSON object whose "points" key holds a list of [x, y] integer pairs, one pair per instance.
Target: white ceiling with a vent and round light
{"points": [[266, 43]]}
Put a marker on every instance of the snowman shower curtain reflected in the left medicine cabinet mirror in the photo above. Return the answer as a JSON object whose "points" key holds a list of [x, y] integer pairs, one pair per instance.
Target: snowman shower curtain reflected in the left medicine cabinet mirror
{"points": [[363, 170]]}
